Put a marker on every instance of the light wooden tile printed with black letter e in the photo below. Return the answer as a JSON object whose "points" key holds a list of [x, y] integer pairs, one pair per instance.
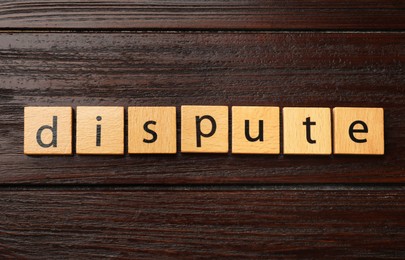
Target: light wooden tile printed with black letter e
{"points": [[358, 130]]}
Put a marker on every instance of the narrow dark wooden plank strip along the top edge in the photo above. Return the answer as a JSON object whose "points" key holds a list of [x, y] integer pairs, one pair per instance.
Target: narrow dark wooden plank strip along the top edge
{"points": [[194, 14]]}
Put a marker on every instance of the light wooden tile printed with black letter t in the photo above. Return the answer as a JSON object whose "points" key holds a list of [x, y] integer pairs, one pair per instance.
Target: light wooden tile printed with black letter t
{"points": [[307, 130]]}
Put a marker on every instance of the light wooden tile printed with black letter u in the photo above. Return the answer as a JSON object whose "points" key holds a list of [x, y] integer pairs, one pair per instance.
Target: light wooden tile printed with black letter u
{"points": [[255, 130]]}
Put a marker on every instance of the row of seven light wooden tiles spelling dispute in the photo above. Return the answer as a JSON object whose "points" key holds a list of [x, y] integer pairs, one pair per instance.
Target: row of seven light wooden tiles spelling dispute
{"points": [[204, 129]]}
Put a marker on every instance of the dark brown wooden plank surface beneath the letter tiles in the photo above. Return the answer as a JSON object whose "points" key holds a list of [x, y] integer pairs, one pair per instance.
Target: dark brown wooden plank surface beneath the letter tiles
{"points": [[278, 53]]}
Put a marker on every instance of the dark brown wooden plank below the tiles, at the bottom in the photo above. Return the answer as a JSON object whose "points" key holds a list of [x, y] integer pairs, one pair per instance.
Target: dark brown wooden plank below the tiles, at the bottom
{"points": [[160, 224]]}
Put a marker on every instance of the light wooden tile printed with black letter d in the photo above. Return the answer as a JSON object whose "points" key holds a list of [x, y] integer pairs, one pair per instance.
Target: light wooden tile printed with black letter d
{"points": [[47, 130]]}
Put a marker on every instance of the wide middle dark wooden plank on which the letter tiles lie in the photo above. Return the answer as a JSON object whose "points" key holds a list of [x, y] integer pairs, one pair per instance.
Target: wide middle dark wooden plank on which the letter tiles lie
{"points": [[177, 68]]}
